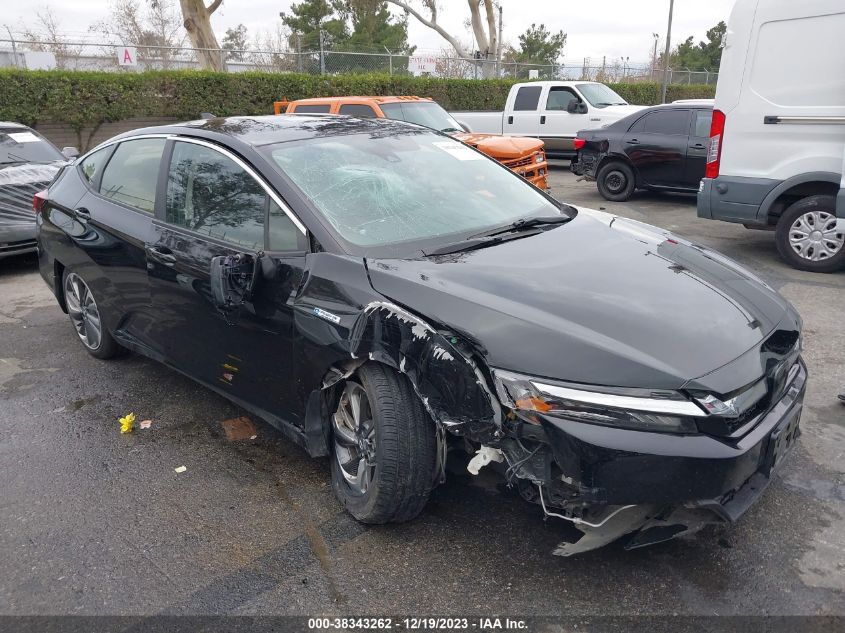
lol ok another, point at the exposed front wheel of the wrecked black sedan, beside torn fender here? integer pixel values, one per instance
(384, 447)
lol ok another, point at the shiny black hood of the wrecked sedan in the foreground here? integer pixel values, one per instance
(600, 300)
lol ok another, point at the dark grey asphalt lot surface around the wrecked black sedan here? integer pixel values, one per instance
(95, 522)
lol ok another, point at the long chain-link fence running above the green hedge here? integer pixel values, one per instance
(117, 57)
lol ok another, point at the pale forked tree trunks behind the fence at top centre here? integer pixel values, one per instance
(484, 27)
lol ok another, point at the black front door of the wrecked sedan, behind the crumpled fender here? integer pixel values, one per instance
(215, 205)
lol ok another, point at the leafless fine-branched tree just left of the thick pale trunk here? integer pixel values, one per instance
(154, 26)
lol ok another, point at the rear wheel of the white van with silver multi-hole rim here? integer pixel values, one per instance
(807, 237)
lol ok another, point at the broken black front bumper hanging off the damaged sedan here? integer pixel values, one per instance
(673, 484)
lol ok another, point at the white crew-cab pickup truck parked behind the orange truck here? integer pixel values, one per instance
(552, 111)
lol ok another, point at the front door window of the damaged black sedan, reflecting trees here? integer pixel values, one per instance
(209, 193)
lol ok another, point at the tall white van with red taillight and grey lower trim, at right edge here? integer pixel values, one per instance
(776, 155)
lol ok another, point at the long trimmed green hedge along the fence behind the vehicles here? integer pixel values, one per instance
(83, 99)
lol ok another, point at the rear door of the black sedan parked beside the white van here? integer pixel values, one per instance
(656, 145)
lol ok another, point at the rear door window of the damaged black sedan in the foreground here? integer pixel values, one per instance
(130, 177)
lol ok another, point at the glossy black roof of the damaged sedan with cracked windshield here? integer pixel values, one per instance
(274, 128)
